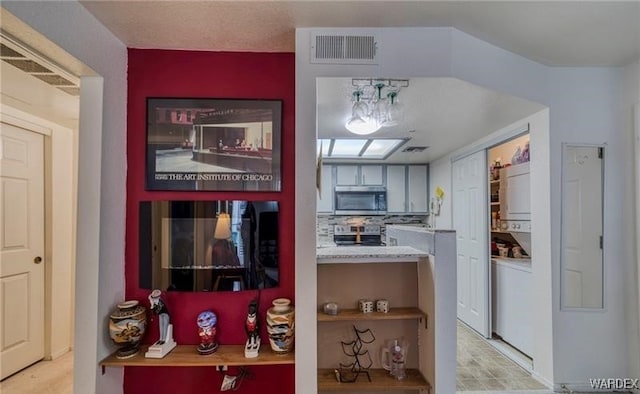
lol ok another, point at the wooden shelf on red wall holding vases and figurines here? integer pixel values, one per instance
(187, 356)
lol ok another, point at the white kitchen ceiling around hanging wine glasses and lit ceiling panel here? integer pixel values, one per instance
(441, 113)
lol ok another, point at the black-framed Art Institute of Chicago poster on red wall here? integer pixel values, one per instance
(213, 144)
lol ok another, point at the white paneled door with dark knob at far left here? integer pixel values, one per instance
(21, 248)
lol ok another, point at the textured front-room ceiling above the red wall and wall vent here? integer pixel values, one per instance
(557, 33)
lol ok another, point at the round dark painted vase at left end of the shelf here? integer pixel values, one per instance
(127, 325)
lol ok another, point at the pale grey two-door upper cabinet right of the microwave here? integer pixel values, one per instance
(407, 189)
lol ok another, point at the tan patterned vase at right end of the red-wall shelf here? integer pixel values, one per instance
(281, 325)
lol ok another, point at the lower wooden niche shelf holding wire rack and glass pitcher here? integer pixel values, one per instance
(380, 381)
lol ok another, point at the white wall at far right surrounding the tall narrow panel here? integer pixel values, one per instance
(585, 104)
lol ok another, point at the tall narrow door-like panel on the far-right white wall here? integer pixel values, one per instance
(582, 228)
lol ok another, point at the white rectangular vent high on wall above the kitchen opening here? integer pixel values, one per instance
(343, 49)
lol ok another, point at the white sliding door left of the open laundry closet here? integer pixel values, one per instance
(470, 203)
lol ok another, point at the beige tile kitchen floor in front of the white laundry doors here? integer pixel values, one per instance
(481, 368)
